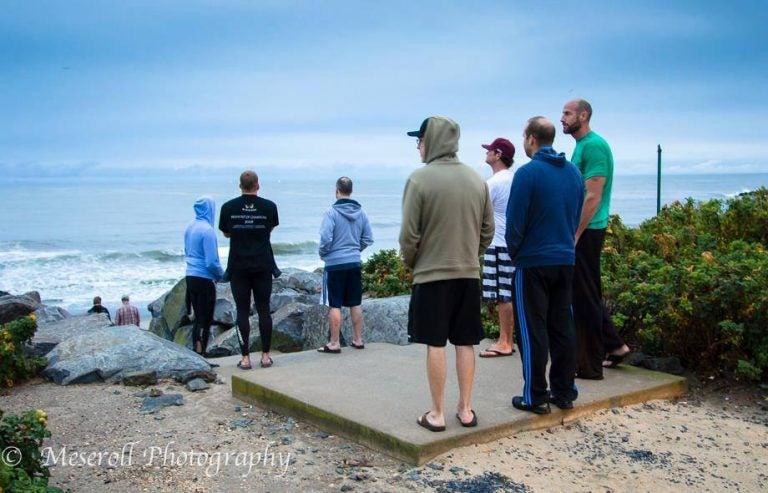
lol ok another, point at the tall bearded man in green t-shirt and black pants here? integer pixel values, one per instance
(598, 342)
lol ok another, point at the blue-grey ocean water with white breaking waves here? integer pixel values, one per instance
(73, 239)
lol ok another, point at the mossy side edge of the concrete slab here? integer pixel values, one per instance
(669, 387)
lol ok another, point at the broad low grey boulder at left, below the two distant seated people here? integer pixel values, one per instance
(107, 354)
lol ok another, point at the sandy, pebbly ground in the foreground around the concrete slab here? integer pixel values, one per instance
(714, 439)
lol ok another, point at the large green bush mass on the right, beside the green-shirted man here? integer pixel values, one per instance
(692, 282)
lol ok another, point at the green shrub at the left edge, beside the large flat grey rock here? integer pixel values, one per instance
(15, 366)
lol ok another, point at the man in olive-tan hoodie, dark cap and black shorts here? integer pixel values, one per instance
(447, 224)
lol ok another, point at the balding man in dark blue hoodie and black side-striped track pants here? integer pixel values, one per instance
(543, 214)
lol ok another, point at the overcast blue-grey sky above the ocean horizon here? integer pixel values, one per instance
(173, 84)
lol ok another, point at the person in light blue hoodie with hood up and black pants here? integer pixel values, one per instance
(201, 253)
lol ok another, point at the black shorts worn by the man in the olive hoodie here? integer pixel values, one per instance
(446, 310)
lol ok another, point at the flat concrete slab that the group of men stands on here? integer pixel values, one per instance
(373, 396)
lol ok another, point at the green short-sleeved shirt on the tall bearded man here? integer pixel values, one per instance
(593, 157)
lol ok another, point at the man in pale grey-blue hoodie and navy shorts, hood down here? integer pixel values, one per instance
(344, 233)
